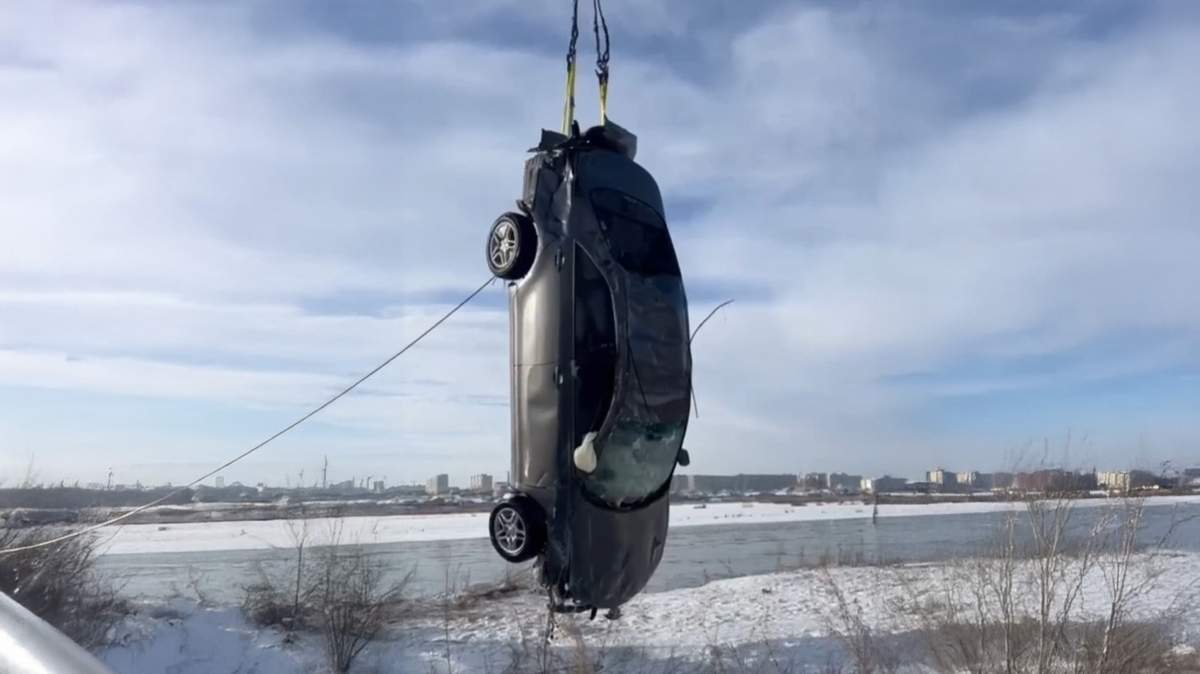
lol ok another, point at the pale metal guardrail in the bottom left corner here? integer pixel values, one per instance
(31, 646)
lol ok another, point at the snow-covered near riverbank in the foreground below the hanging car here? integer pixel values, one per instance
(785, 619)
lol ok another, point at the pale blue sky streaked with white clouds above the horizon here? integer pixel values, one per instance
(957, 234)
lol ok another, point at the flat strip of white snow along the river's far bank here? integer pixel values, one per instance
(407, 528)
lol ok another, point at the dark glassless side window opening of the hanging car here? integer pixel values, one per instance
(596, 346)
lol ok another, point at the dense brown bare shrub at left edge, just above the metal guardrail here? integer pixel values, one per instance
(61, 585)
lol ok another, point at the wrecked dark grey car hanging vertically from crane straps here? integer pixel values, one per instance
(601, 369)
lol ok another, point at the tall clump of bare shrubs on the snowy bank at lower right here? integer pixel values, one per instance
(1021, 609)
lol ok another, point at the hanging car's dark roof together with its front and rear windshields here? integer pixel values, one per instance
(638, 456)
